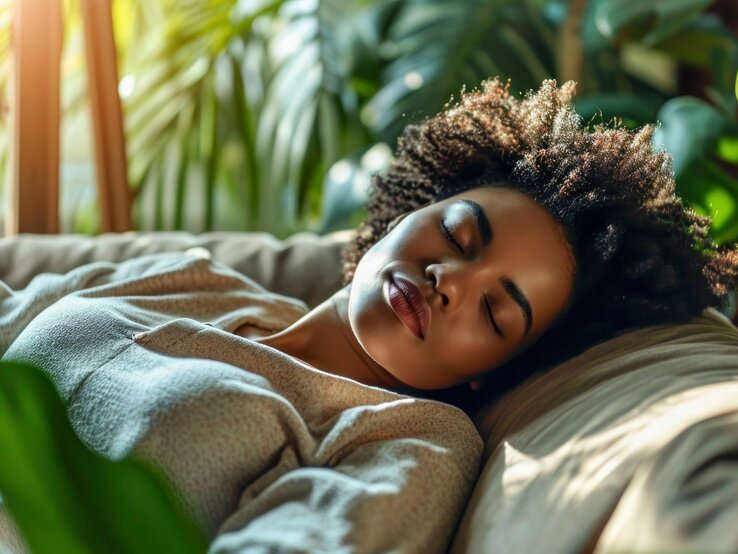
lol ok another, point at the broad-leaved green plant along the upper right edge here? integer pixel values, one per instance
(701, 136)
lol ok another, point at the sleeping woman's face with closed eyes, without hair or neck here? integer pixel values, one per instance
(460, 286)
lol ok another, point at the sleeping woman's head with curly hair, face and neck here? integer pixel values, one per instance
(502, 224)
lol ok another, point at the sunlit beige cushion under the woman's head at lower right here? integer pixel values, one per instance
(630, 447)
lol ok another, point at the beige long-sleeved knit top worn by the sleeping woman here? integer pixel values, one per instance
(269, 453)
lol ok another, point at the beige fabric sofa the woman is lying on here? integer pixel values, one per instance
(631, 446)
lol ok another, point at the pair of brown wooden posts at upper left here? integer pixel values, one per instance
(34, 191)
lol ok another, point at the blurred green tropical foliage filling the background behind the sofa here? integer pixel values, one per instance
(271, 114)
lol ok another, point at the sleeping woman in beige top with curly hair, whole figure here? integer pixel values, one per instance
(502, 239)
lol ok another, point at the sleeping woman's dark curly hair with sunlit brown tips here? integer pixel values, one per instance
(642, 256)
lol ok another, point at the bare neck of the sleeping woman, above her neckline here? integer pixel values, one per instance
(323, 338)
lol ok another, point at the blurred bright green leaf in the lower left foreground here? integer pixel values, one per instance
(65, 498)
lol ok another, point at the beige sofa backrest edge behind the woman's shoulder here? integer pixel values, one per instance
(305, 265)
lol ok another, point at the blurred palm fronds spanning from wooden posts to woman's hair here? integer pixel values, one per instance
(246, 123)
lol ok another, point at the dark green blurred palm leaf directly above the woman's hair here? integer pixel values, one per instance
(435, 47)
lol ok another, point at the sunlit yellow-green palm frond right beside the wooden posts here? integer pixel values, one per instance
(190, 103)
